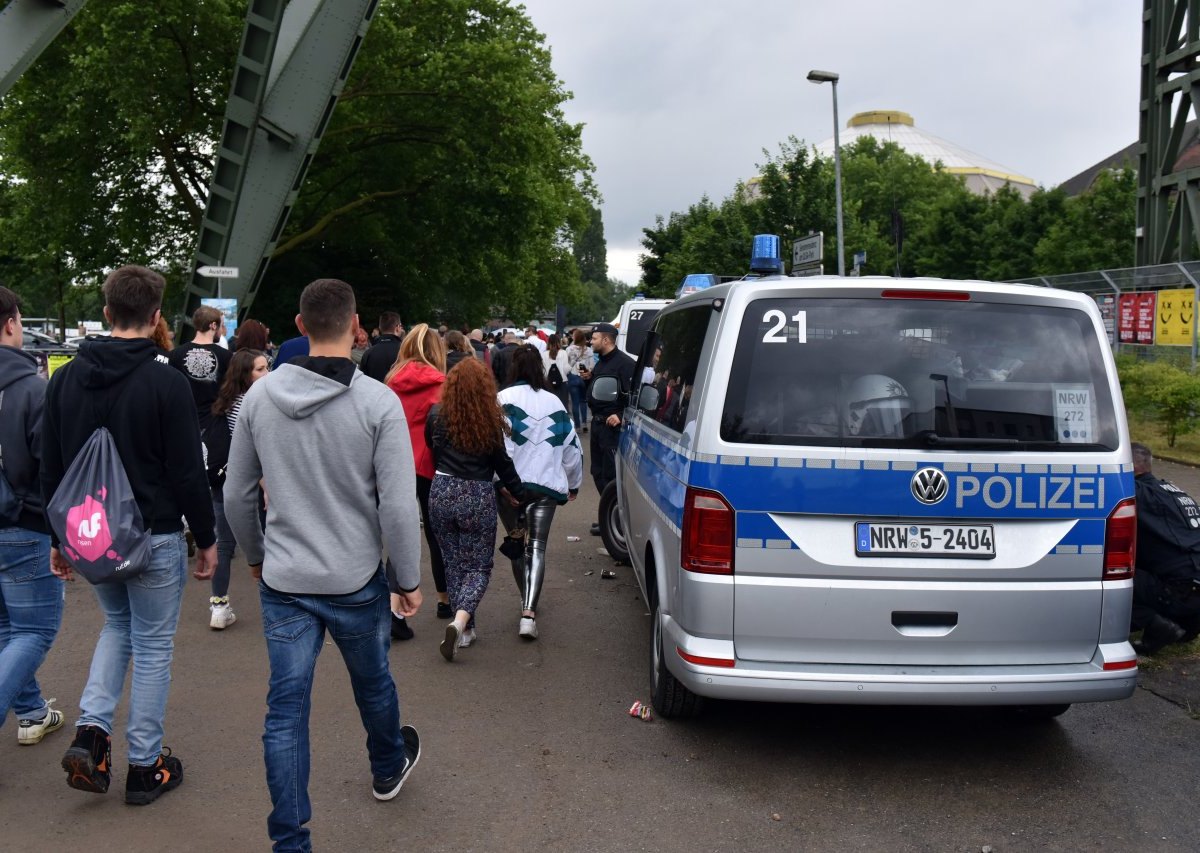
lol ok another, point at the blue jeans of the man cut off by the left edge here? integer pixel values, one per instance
(31, 614)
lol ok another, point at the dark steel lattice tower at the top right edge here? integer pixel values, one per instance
(1168, 190)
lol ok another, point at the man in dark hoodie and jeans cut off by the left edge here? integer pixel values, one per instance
(31, 597)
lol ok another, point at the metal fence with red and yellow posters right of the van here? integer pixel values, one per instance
(1150, 311)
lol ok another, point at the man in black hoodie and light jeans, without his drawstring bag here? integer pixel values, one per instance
(122, 383)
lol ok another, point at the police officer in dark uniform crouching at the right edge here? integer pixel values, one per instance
(1167, 581)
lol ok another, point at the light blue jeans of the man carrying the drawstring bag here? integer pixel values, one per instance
(141, 616)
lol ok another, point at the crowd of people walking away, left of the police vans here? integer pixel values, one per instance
(208, 435)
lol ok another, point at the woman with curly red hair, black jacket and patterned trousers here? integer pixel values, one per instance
(466, 436)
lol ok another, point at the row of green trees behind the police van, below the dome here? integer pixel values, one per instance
(909, 218)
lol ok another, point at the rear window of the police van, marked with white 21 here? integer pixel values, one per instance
(919, 374)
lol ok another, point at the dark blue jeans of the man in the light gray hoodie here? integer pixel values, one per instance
(296, 628)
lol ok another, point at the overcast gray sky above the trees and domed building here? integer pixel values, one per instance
(680, 98)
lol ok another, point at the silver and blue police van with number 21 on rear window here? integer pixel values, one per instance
(881, 491)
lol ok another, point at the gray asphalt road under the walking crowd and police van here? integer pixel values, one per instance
(530, 747)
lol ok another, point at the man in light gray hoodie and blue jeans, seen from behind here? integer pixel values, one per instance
(333, 450)
